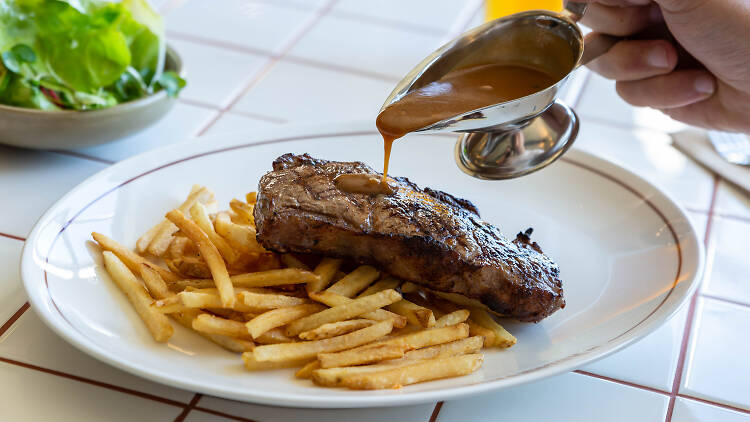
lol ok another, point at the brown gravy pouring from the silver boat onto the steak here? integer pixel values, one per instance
(455, 93)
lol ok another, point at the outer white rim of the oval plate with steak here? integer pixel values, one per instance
(207, 145)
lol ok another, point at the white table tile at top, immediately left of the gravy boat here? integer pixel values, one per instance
(365, 46)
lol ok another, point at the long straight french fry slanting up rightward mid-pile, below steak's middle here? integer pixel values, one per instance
(346, 311)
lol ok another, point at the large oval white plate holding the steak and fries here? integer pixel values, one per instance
(628, 255)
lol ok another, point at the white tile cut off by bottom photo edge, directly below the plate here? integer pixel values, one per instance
(282, 414)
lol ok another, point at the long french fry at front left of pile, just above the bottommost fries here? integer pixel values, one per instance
(310, 349)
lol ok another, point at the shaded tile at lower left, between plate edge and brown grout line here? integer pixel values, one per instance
(30, 341)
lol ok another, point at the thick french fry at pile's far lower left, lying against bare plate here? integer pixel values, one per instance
(157, 323)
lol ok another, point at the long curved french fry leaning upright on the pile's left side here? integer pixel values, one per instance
(209, 253)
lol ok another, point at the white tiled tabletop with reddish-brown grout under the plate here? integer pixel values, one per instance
(340, 59)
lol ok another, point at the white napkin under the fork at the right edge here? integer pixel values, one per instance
(695, 144)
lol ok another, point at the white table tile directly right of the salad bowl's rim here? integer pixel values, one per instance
(215, 75)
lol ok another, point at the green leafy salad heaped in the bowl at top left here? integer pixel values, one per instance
(81, 54)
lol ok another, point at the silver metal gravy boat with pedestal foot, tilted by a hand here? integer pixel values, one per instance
(514, 138)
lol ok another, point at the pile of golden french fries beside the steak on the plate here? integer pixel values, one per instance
(342, 325)
